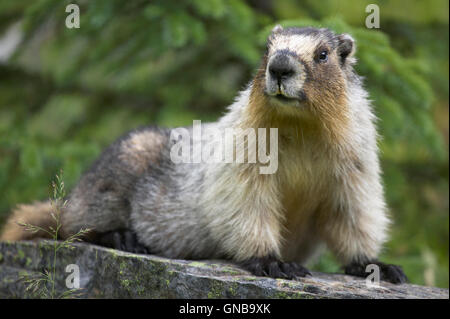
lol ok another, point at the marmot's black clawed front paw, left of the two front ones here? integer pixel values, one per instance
(272, 267)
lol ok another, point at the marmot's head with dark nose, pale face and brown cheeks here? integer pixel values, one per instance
(306, 68)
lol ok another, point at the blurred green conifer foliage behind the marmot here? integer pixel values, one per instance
(66, 93)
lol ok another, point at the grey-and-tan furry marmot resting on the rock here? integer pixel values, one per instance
(326, 190)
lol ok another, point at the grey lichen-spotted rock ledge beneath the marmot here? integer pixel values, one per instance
(108, 273)
